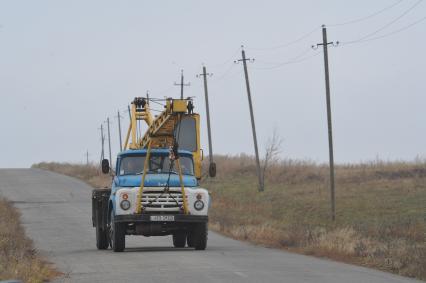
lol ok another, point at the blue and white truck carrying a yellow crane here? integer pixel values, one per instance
(155, 182)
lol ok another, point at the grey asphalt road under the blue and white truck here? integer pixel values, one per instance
(56, 213)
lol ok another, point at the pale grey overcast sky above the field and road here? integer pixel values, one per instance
(67, 65)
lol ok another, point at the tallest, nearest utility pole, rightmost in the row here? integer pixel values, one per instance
(325, 44)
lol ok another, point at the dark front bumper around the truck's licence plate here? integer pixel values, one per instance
(146, 218)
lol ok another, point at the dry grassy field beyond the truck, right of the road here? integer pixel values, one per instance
(380, 220)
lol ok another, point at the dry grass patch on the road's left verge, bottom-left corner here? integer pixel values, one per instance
(18, 258)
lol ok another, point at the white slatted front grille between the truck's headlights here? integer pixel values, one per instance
(156, 200)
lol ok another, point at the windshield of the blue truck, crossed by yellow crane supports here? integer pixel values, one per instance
(134, 165)
